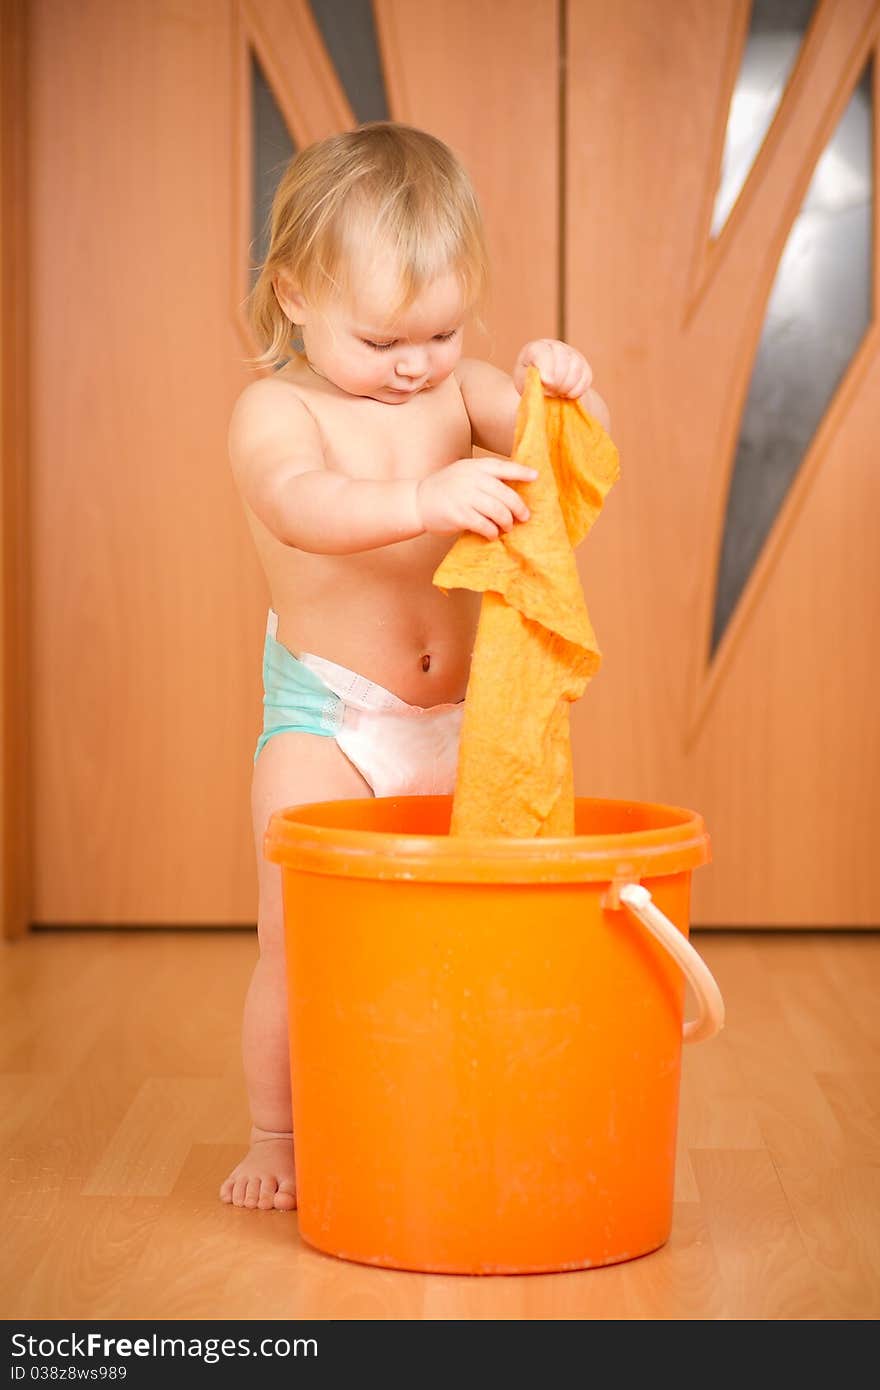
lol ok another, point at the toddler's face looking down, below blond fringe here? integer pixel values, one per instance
(352, 343)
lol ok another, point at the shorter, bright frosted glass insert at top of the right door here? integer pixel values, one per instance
(776, 33)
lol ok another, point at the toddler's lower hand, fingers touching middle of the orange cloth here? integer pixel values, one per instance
(469, 496)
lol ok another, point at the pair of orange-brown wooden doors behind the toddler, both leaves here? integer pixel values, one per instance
(594, 137)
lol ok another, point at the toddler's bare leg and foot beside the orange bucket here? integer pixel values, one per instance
(291, 769)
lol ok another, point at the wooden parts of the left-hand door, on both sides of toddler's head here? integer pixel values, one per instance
(148, 608)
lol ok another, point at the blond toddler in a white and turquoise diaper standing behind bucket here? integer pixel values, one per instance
(357, 472)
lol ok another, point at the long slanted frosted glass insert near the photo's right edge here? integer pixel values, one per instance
(820, 311)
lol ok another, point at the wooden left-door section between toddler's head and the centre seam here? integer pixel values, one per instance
(484, 79)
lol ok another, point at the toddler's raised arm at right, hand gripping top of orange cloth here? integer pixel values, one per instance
(493, 398)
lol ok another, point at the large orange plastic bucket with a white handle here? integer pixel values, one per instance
(486, 1035)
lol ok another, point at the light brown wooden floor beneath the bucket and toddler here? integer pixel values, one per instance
(124, 1109)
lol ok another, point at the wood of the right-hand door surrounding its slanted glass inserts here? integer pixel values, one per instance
(776, 739)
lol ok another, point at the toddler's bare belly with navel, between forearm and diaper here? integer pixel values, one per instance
(401, 633)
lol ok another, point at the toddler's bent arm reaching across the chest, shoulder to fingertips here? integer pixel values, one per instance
(279, 464)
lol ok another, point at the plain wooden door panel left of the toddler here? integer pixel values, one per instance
(147, 597)
